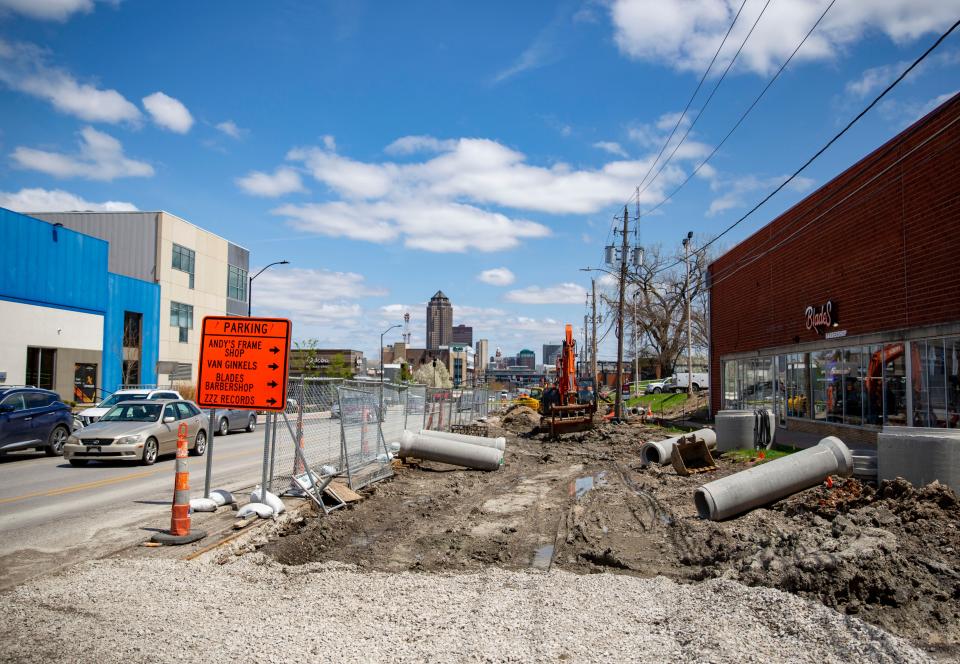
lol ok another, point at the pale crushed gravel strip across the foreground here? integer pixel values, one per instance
(254, 609)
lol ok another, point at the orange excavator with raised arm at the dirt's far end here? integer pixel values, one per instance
(561, 408)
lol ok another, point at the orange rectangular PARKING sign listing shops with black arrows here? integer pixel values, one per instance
(243, 363)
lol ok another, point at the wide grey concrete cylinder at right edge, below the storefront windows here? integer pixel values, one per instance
(919, 455)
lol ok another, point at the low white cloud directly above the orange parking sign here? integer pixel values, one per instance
(312, 297)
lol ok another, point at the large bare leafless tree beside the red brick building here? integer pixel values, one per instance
(657, 289)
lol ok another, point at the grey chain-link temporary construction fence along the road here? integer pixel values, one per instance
(345, 428)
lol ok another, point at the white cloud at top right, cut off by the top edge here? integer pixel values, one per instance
(684, 34)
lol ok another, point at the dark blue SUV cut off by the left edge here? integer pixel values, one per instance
(31, 417)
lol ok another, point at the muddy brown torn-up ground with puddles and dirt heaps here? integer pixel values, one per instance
(583, 503)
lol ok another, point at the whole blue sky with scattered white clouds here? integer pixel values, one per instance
(388, 150)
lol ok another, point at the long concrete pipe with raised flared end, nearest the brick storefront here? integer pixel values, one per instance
(773, 480)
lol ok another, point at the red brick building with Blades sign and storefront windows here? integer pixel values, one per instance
(843, 313)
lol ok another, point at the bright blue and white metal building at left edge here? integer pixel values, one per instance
(70, 324)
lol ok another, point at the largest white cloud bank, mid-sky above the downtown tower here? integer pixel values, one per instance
(440, 202)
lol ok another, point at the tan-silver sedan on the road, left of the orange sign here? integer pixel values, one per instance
(138, 430)
